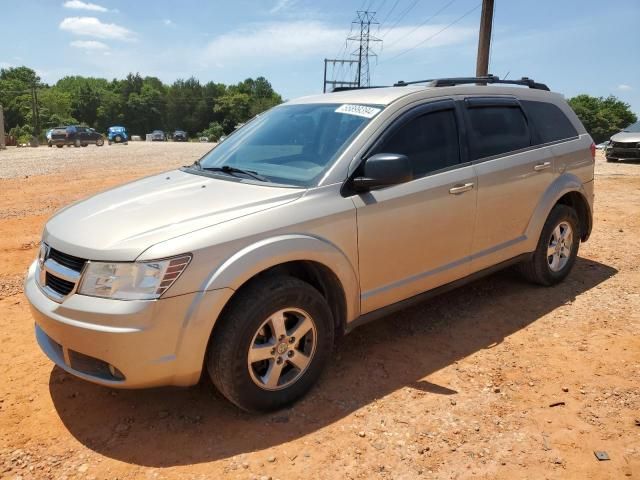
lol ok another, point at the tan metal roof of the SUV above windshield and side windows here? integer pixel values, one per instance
(387, 95)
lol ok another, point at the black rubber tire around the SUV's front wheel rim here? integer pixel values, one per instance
(227, 359)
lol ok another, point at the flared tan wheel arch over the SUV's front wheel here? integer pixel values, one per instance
(260, 256)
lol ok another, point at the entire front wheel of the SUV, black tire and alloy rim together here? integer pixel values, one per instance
(273, 342)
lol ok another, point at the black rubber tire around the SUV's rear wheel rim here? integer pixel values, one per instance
(537, 269)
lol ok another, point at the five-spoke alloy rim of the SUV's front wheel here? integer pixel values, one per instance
(282, 349)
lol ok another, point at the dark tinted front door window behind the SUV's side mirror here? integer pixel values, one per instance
(430, 141)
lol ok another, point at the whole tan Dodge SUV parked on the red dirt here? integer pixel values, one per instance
(315, 217)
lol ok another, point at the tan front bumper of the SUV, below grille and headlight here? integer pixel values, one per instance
(127, 344)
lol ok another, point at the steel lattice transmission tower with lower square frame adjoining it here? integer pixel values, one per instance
(363, 51)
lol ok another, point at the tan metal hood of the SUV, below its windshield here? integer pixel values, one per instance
(121, 223)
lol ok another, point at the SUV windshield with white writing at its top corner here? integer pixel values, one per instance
(291, 144)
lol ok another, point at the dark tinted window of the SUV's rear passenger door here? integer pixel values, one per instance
(494, 130)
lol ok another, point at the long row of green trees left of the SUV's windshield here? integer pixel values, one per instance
(141, 104)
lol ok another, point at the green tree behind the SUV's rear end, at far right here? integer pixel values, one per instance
(602, 117)
